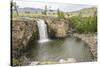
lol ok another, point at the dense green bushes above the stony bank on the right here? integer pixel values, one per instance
(84, 24)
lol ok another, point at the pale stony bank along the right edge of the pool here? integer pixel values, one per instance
(91, 40)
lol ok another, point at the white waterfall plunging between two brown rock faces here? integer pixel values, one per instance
(42, 27)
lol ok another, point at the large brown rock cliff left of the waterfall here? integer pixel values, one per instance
(22, 31)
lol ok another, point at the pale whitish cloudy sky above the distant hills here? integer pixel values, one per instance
(51, 5)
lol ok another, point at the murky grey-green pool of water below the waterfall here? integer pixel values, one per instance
(54, 50)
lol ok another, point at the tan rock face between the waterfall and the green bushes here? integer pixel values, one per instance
(57, 28)
